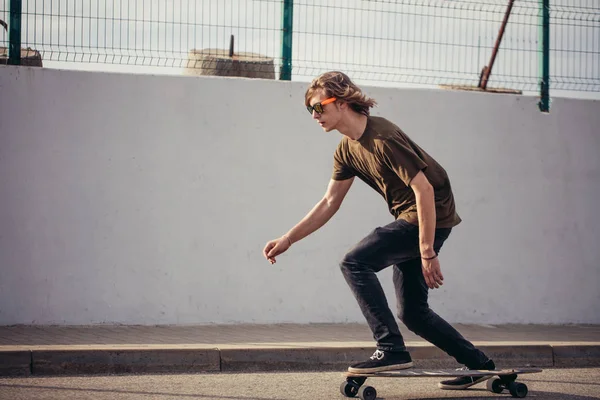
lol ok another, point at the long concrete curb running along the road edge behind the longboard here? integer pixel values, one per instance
(80, 361)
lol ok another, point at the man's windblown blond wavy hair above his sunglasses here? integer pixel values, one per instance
(339, 85)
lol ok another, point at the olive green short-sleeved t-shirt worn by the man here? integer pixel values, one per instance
(386, 159)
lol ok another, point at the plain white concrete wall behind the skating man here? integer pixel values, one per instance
(148, 200)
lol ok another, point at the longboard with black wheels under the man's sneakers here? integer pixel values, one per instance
(506, 379)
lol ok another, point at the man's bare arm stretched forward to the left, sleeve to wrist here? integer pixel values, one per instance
(322, 211)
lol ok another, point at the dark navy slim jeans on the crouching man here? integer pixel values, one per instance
(397, 245)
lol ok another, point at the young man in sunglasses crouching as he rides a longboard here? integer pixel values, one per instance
(418, 194)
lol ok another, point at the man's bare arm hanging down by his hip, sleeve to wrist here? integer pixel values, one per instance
(426, 213)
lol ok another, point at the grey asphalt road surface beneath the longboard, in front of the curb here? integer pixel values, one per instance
(551, 384)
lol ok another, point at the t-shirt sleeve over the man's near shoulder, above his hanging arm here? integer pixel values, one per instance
(402, 159)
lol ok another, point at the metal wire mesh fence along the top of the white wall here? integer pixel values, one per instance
(414, 42)
